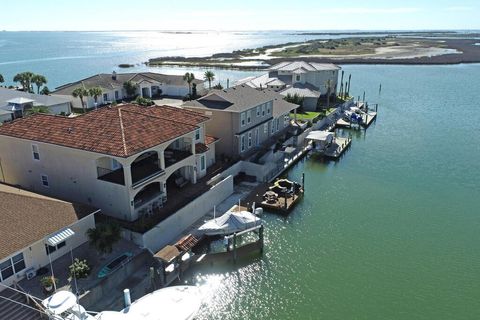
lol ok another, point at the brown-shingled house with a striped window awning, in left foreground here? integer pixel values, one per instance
(36, 229)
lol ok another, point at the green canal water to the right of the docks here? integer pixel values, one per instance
(392, 230)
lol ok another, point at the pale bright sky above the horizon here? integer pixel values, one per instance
(86, 15)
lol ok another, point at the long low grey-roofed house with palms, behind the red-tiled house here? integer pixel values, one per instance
(148, 85)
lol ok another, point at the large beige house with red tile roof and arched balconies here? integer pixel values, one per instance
(121, 159)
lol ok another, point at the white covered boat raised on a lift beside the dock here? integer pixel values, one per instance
(230, 222)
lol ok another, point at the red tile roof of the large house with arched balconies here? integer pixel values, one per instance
(122, 131)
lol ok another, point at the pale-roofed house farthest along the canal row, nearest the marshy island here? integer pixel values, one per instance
(306, 79)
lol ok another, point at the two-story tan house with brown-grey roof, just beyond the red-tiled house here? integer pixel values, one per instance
(244, 118)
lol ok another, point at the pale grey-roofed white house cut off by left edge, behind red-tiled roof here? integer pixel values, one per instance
(14, 103)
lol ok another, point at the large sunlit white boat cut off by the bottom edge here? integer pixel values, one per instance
(173, 303)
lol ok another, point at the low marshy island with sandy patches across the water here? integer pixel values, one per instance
(433, 49)
